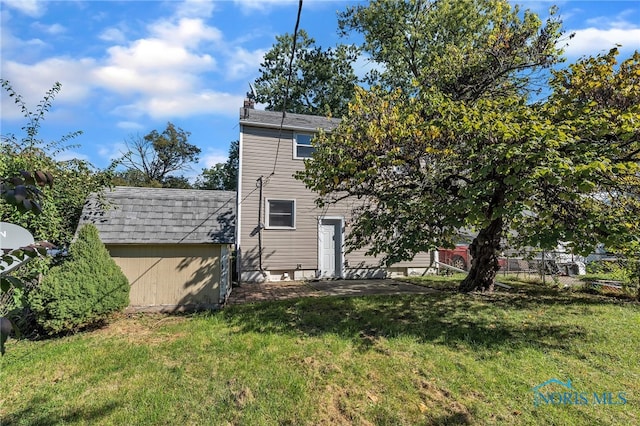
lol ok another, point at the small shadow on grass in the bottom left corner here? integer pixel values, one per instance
(36, 414)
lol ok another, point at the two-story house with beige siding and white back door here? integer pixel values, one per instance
(281, 234)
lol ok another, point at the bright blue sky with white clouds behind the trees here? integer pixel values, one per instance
(128, 67)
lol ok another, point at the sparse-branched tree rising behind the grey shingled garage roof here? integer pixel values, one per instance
(151, 160)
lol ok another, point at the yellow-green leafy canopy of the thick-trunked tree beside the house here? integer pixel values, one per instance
(419, 169)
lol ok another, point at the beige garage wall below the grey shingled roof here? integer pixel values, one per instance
(170, 274)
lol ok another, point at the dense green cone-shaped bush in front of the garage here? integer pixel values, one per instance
(81, 291)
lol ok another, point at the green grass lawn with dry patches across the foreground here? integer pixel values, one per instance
(441, 358)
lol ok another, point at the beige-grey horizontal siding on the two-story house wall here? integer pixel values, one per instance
(284, 249)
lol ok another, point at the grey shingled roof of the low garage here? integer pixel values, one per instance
(127, 215)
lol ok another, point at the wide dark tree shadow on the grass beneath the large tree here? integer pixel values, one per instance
(497, 320)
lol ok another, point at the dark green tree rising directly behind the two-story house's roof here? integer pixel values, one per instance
(322, 81)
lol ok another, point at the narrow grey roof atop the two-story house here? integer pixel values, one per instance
(273, 119)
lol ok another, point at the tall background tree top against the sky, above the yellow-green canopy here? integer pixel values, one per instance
(465, 48)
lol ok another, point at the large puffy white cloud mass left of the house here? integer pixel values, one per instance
(159, 74)
